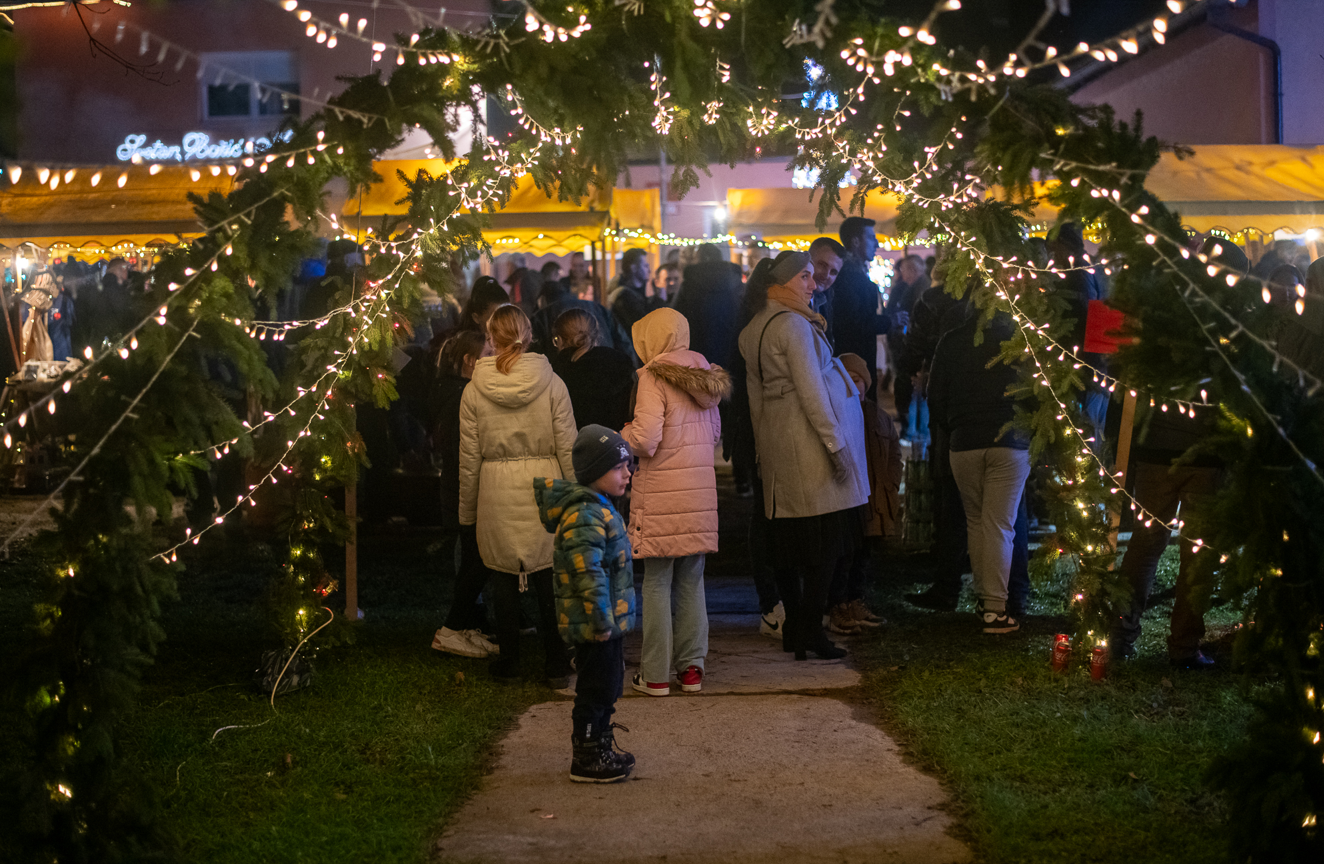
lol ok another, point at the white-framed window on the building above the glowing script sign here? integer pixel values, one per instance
(250, 84)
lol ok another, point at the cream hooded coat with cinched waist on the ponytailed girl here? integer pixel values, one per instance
(513, 428)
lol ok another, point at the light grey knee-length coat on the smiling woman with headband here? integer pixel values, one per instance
(804, 407)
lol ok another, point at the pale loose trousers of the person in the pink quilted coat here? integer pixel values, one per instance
(673, 641)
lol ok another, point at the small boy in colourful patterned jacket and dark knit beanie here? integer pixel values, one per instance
(595, 593)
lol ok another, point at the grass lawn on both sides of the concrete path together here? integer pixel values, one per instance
(369, 764)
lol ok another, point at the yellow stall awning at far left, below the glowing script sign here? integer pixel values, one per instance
(148, 211)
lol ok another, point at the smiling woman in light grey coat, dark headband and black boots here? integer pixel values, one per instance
(810, 432)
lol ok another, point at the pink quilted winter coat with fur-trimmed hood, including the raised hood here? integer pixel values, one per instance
(675, 432)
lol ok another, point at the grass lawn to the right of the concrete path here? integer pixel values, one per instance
(1059, 768)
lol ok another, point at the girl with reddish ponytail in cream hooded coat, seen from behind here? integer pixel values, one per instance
(516, 424)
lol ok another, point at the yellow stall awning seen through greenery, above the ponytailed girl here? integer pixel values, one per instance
(532, 219)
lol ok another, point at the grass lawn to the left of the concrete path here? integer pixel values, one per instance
(363, 767)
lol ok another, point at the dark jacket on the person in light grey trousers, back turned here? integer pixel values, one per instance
(967, 395)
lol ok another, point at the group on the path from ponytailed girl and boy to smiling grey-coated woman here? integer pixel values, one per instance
(546, 407)
